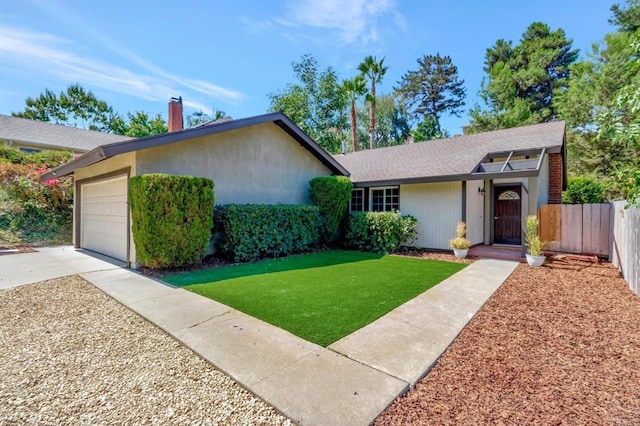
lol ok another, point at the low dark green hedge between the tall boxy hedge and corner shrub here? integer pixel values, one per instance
(252, 231)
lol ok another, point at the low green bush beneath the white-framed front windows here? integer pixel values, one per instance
(380, 232)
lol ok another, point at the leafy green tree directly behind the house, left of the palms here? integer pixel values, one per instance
(316, 103)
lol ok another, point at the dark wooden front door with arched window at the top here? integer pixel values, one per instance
(507, 215)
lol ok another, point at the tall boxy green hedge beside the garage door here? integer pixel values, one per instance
(172, 219)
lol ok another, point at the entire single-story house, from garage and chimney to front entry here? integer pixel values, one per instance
(491, 180)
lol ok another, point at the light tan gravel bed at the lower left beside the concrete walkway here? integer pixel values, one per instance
(72, 355)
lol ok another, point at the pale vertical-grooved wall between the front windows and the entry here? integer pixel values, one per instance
(438, 208)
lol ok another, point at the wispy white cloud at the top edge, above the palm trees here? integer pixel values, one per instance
(354, 21)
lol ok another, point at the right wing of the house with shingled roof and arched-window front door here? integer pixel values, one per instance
(491, 180)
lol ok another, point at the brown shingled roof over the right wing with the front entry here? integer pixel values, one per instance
(449, 159)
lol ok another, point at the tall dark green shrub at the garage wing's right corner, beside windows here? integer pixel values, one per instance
(331, 194)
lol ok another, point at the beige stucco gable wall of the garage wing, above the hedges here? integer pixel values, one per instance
(259, 164)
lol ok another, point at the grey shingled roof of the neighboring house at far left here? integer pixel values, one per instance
(53, 136)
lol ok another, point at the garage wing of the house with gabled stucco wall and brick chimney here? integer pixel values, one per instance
(265, 159)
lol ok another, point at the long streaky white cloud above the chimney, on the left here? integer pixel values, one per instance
(46, 53)
